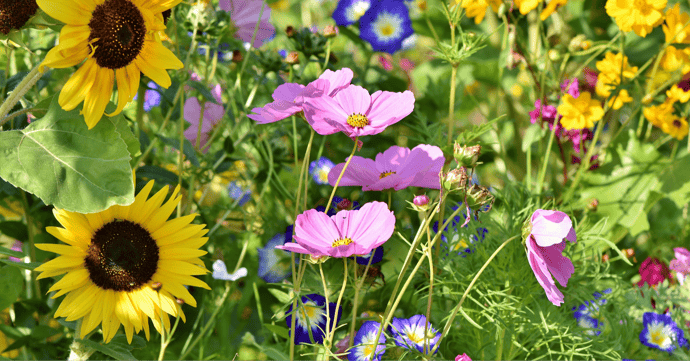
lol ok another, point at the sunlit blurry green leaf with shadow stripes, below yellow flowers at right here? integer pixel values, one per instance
(623, 185)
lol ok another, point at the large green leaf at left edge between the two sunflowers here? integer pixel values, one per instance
(67, 165)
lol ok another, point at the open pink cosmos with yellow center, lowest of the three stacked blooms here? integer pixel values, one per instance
(345, 234)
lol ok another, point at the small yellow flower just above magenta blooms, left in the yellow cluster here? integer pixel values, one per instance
(579, 113)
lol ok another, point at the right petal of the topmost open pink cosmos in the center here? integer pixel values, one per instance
(389, 108)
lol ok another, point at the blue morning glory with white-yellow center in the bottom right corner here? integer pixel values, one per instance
(661, 332)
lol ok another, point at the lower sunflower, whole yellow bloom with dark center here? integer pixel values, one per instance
(126, 264)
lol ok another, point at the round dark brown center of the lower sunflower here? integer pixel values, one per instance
(122, 256)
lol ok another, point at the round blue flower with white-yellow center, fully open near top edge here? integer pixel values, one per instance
(385, 25)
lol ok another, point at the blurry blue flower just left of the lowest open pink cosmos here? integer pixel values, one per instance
(274, 264)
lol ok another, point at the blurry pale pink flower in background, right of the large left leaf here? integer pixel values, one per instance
(213, 113)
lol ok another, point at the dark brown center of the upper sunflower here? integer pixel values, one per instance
(119, 27)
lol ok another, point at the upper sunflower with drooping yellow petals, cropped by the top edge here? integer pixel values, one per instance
(118, 39)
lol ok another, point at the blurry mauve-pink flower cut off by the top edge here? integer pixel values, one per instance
(245, 14)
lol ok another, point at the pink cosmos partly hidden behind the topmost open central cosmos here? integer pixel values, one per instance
(289, 98)
